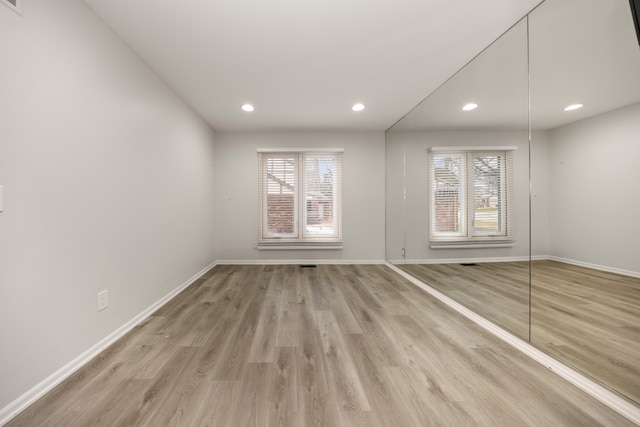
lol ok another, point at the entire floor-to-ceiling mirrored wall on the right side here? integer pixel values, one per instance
(524, 212)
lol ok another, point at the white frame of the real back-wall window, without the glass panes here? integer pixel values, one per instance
(302, 235)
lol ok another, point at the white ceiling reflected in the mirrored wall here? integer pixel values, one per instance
(580, 51)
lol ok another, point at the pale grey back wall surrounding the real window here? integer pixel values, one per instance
(363, 194)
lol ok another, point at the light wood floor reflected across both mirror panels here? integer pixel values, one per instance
(586, 318)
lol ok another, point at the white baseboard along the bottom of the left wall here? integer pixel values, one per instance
(28, 398)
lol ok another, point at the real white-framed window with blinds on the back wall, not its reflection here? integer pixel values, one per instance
(300, 200)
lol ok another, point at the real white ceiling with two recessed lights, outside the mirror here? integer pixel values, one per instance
(304, 63)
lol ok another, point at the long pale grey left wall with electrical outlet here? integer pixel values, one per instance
(108, 183)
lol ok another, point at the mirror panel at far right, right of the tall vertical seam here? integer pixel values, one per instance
(586, 292)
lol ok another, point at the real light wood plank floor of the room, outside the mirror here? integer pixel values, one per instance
(327, 346)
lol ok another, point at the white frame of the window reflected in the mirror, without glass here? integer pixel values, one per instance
(467, 235)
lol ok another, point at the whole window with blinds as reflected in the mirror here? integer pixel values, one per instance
(470, 195)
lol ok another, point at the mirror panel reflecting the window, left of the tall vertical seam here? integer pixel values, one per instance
(497, 80)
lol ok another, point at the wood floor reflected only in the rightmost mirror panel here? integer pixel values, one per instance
(591, 320)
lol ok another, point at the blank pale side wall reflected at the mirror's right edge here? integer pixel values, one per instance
(594, 201)
